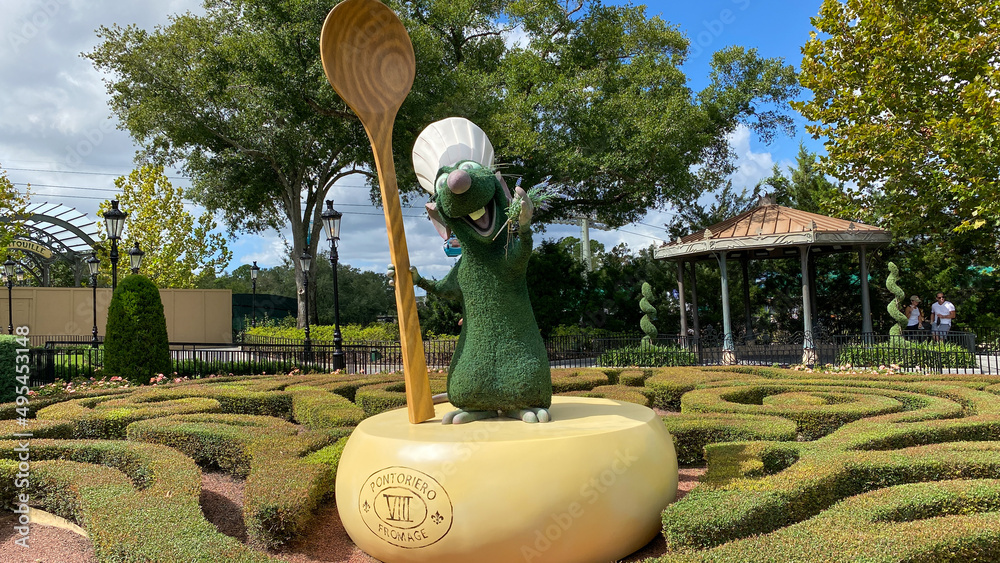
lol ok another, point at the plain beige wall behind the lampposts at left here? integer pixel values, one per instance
(193, 315)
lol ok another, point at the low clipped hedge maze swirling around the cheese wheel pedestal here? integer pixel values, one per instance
(802, 466)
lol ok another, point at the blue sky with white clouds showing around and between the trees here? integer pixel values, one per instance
(55, 131)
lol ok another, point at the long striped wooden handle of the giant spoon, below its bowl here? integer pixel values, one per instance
(419, 403)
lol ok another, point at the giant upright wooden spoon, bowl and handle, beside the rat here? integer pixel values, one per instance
(368, 58)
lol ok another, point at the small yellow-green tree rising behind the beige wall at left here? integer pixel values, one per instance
(180, 249)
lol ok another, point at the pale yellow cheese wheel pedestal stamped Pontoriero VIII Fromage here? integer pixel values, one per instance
(587, 487)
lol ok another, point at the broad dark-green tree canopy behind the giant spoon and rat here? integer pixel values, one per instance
(594, 98)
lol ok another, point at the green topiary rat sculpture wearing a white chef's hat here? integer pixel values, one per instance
(500, 363)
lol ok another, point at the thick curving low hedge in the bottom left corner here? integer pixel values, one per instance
(138, 502)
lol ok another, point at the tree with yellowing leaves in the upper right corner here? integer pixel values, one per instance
(906, 95)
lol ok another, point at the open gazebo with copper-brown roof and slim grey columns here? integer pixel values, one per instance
(768, 232)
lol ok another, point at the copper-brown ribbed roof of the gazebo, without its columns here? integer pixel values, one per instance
(774, 231)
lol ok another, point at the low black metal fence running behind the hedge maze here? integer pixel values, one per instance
(975, 350)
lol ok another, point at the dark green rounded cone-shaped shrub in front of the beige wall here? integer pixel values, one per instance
(136, 346)
